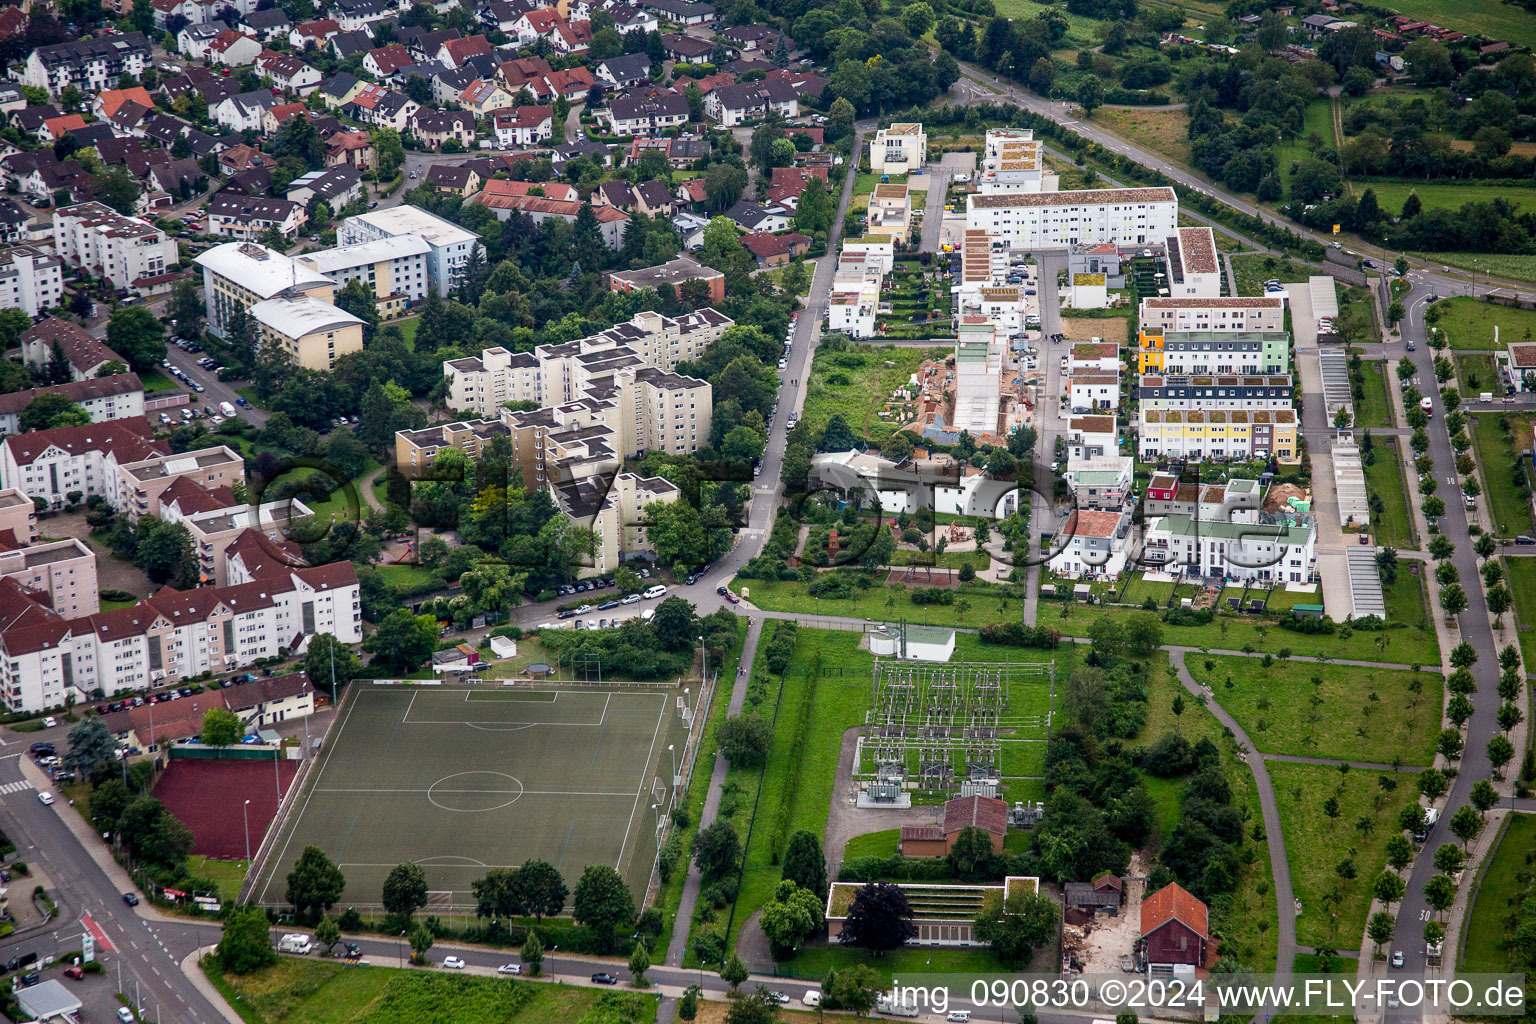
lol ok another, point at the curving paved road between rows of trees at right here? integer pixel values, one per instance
(1414, 911)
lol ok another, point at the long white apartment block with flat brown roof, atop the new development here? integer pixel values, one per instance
(1058, 220)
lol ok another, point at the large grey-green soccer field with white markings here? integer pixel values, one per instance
(465, 779)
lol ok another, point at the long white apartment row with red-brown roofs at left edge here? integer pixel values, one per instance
(170, 636)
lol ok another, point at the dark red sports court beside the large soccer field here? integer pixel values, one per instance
(210, 798)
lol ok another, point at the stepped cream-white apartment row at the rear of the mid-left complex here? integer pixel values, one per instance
(483, 385)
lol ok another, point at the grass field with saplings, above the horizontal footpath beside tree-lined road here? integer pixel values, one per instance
(1328, 710)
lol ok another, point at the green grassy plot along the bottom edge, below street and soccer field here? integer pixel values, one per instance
(319, 993)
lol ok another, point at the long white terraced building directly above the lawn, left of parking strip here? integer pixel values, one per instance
(1233, 550)
